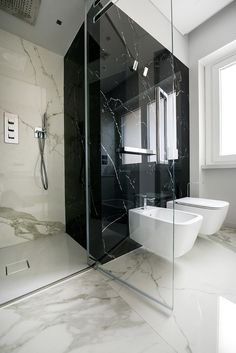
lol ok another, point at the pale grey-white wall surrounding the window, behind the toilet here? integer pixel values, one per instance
(207, 38)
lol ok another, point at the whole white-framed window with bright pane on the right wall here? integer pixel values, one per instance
(220, 103)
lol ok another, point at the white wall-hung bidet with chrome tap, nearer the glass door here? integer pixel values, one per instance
(152, 227)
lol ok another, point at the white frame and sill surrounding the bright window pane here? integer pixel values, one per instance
(213, 109)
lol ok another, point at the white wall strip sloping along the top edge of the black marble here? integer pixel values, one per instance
(154, 22)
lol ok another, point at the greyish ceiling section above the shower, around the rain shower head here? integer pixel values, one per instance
(46, 32)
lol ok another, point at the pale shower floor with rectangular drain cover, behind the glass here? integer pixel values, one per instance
(34, 264)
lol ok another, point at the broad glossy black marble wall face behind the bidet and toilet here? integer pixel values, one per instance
(118, 94)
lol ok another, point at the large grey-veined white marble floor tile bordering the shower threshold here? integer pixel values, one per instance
(82, 315)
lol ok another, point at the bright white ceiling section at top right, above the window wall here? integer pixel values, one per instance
(189, 14)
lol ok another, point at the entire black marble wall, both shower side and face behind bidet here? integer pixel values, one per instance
(114, 90)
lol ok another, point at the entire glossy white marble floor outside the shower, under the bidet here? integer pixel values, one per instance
(94, 313)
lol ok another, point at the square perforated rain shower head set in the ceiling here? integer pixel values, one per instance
(26, 10)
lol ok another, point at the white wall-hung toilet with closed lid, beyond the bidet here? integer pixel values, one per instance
(212, 211)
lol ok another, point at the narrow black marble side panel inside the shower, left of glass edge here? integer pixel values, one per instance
(74, 127)
